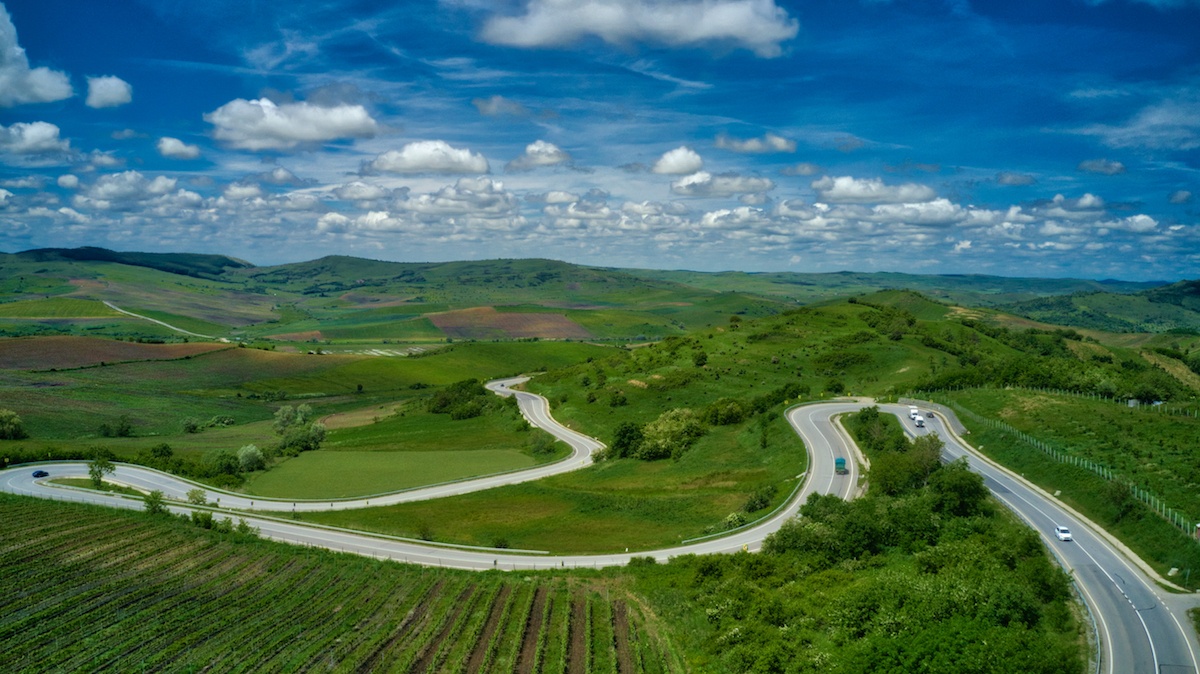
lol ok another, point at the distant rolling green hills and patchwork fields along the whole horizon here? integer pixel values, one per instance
(345, 300)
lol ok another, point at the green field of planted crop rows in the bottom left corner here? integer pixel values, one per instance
(97, 591)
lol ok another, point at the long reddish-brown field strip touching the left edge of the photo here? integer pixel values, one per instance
(46, 353)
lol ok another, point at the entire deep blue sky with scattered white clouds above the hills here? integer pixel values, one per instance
(1018, 139)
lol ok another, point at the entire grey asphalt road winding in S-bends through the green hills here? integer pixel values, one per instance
(1141, 628)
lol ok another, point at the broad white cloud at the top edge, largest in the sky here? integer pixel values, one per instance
(758, 26)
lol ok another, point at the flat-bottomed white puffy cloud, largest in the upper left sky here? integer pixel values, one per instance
(265, 125)
